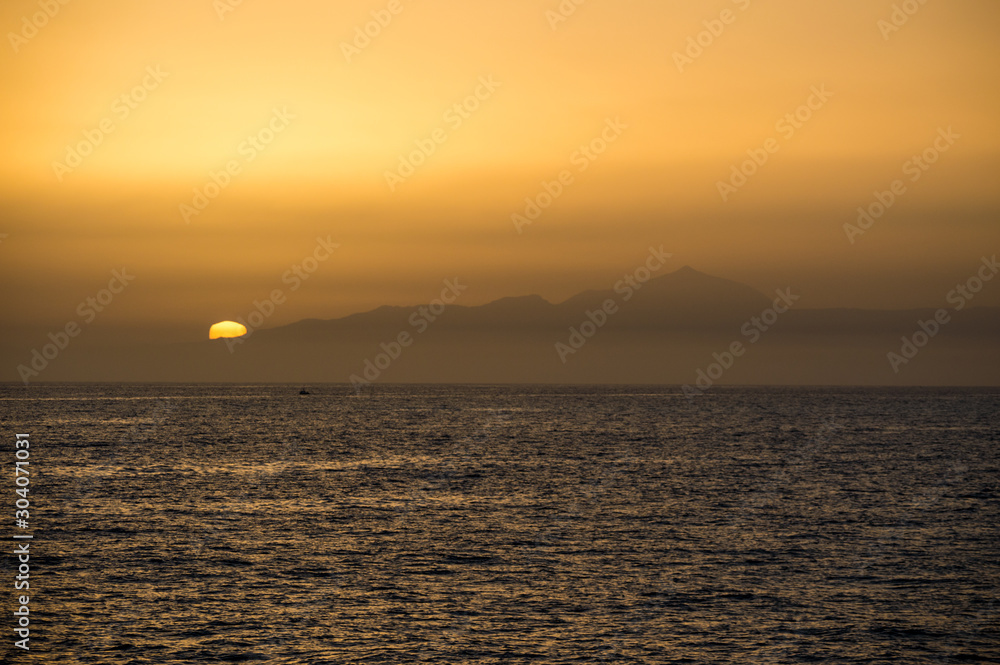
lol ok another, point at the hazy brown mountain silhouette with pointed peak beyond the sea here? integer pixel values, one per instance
(665, 331)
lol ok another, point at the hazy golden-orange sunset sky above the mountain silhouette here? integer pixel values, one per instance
(183, 85)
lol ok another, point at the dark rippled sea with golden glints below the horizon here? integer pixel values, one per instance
(436, 524)
